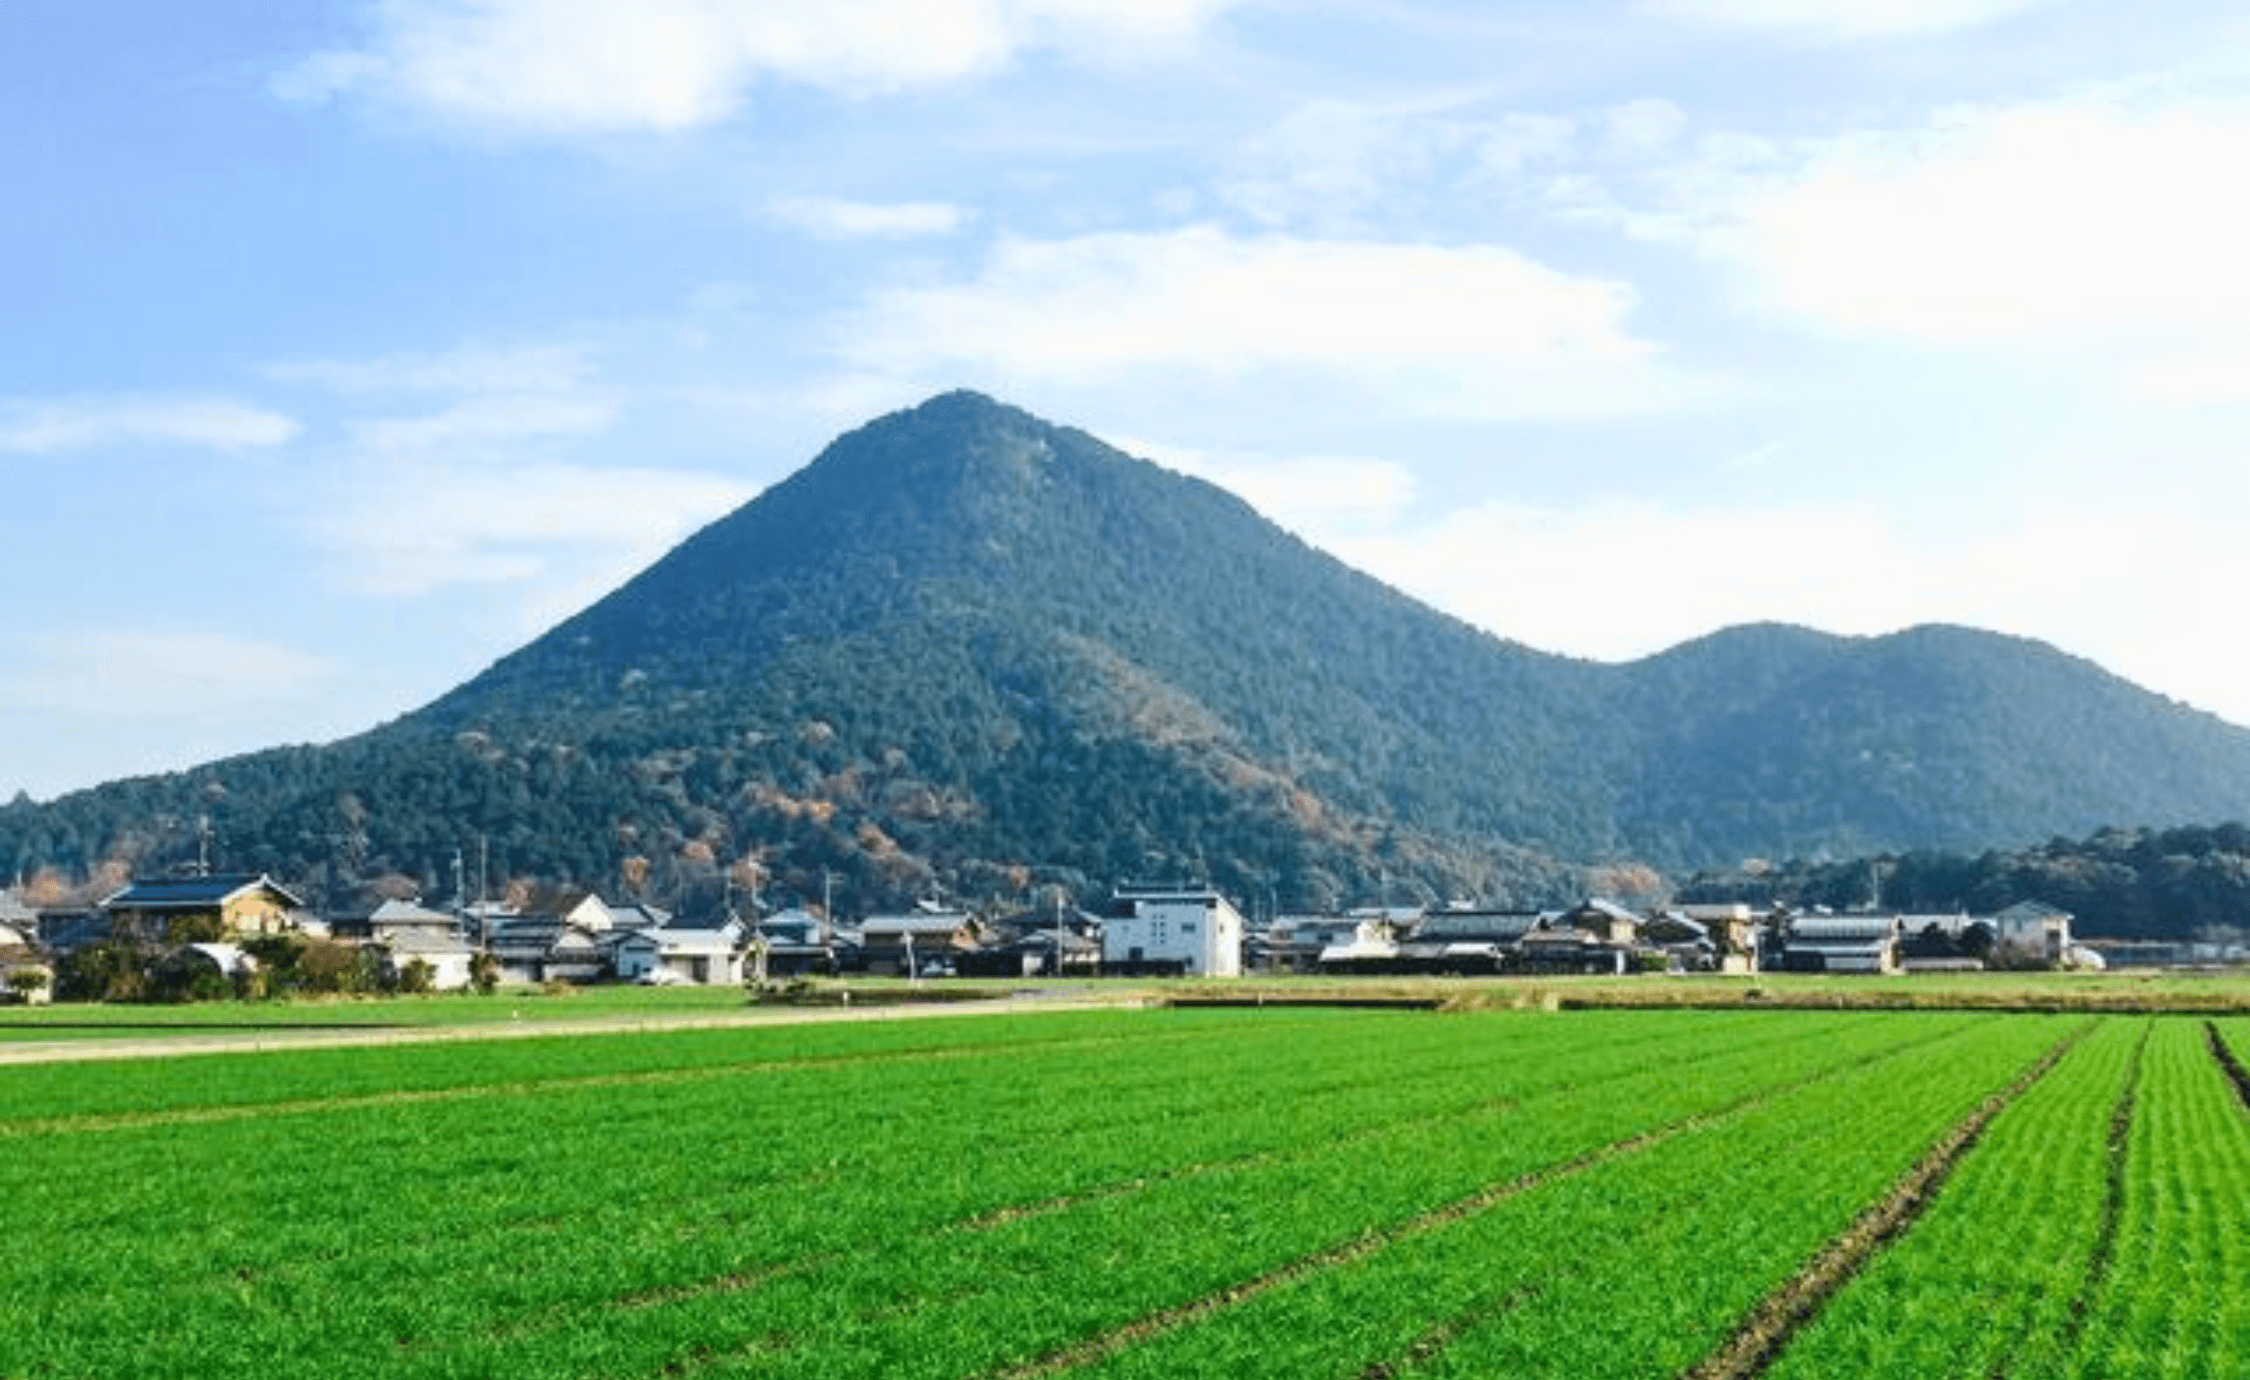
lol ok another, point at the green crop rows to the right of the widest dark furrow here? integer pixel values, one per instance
(2096, 1235)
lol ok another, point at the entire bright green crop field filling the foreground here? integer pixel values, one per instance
(1286, 1192)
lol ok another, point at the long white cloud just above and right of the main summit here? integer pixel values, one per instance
(1464, 330)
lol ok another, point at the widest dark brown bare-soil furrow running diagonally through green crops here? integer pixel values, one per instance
(1770, 1327)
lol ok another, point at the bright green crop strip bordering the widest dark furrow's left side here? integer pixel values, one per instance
(1628, 1266)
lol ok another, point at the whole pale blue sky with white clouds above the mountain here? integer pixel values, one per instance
(352, 343)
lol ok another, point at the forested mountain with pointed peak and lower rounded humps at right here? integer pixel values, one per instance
(975, 649)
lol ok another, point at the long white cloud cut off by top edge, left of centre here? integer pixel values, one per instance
(593, 66)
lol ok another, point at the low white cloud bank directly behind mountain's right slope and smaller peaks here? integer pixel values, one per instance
(1628, 580)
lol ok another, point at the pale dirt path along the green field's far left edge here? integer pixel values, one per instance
(91, 1050)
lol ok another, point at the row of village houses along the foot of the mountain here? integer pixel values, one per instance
(201, 938)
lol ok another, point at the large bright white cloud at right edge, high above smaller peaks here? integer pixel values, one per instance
(2058, 226)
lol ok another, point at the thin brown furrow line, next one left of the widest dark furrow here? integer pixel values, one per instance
(1376, 1239)
